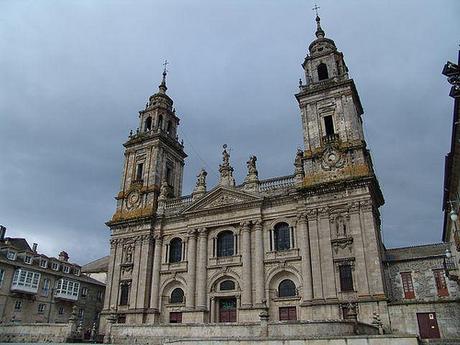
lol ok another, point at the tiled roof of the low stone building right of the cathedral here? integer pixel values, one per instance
(416, 252)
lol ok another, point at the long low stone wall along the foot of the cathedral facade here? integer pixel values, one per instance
(159, 334)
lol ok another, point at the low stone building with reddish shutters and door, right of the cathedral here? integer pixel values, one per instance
(421, 298)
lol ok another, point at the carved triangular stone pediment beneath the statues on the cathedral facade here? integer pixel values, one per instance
(222, 197)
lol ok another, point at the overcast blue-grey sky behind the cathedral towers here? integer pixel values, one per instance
(73, 75)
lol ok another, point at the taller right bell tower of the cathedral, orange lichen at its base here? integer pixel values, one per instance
(331, 111)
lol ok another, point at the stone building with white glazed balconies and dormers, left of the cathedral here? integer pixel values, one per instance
(35, 288)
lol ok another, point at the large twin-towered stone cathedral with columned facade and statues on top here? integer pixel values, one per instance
(299, 249)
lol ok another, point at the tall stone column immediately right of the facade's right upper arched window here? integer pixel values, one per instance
(304, 247)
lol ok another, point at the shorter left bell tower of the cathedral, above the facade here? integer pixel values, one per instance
(153, 157)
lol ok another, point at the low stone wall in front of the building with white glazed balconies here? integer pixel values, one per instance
(43, 333)
